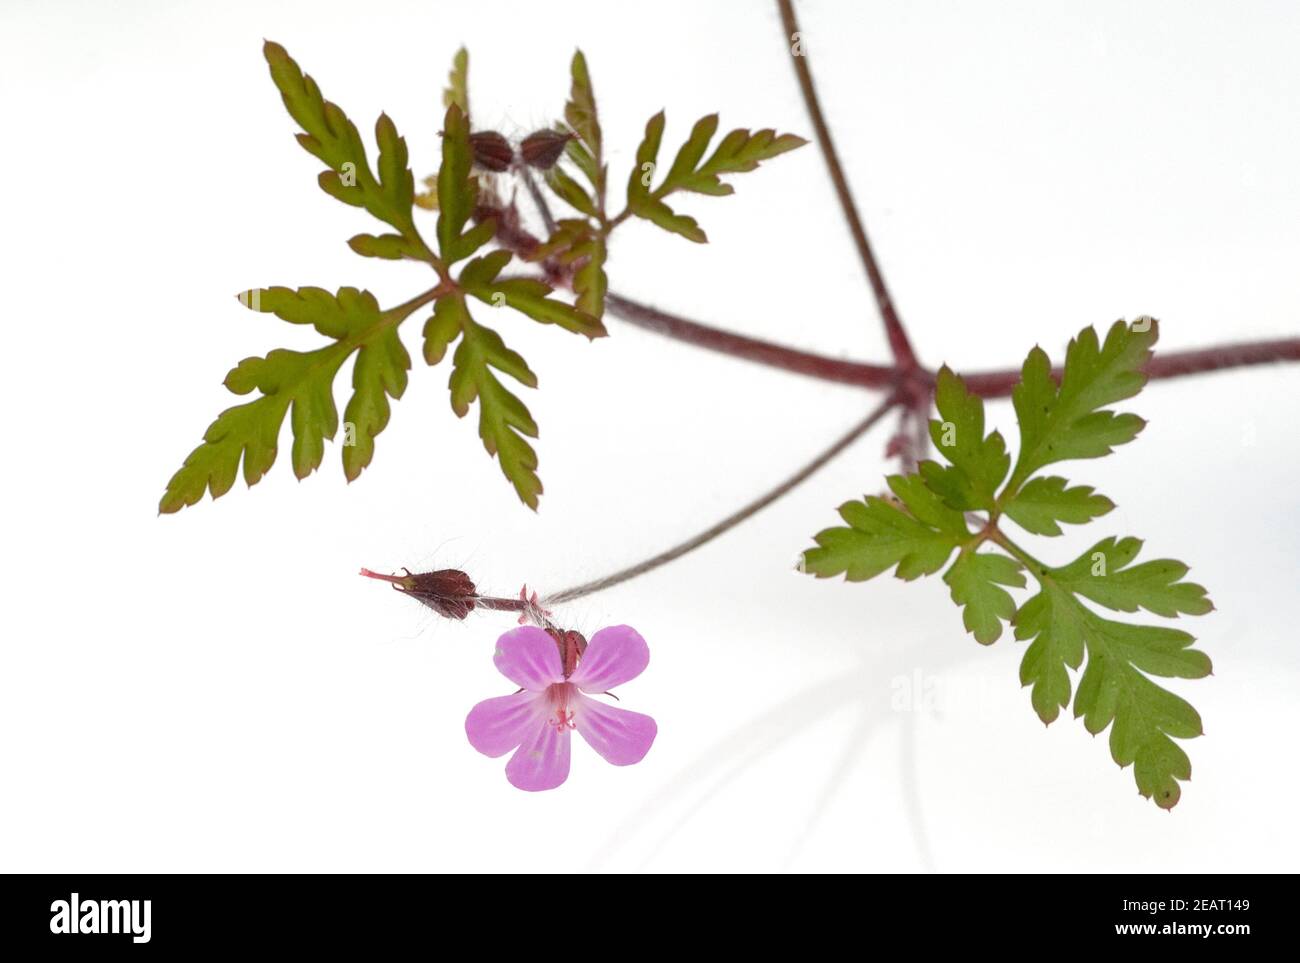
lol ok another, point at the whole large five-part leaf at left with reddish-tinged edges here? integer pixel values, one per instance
(298, 385)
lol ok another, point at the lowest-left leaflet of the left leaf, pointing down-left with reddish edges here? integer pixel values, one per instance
(302, 383)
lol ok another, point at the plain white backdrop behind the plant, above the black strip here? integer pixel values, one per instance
(218, 691)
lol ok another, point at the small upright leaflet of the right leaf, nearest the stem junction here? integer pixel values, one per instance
(980, 463)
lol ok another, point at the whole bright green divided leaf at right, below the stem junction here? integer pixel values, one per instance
(1059, 422)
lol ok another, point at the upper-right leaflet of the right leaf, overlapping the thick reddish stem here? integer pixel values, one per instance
(1059, 424)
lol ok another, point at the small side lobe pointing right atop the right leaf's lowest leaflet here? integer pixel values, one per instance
(1104, 575)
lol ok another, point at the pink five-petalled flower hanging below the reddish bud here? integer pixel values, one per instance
(538, 722)
